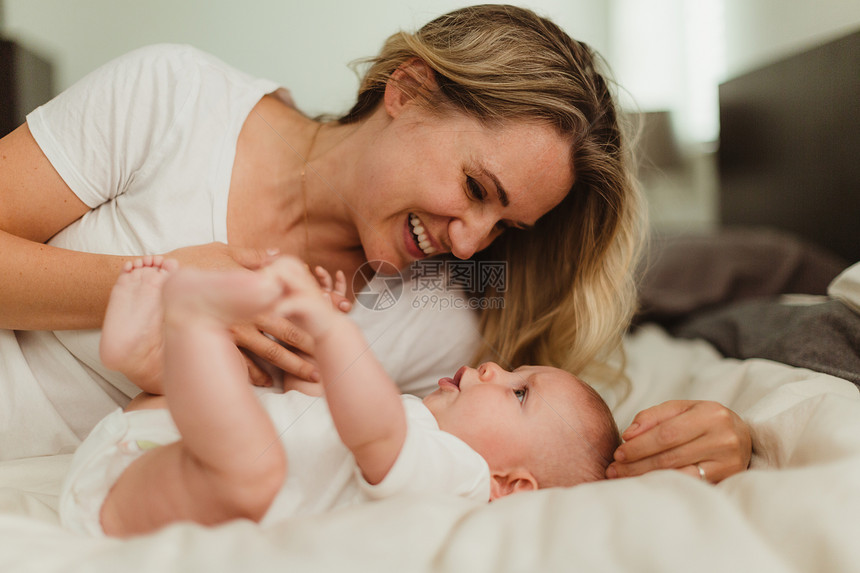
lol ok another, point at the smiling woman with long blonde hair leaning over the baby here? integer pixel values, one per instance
(488, 126)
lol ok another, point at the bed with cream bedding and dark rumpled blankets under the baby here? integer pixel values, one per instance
(708, 303)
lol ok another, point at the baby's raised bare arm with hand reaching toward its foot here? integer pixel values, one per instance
(364, 402)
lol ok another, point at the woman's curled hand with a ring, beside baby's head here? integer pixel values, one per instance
(687, 435)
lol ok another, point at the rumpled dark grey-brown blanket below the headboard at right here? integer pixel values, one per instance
(723, 287)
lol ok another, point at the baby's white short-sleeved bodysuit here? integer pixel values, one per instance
(322, 472)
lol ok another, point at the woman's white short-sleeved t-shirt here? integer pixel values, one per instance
(148, 141)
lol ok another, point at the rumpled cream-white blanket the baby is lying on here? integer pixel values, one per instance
(796, 509)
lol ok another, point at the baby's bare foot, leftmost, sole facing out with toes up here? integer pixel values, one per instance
(132, 341)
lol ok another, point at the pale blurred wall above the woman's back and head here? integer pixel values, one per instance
(305, 46)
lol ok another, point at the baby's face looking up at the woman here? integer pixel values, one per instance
(508, 416)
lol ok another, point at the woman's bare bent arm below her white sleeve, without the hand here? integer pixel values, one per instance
(44, 287)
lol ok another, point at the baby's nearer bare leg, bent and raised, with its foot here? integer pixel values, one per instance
(229, 462)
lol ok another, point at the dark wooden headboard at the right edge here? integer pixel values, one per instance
(789, 152)
